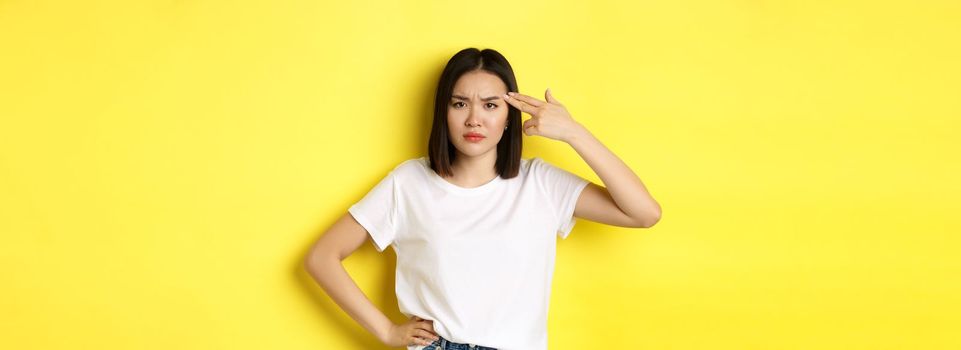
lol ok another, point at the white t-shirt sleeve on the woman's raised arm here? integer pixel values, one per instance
(563, 188)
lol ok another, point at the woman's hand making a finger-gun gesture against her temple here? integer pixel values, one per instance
(548, 118)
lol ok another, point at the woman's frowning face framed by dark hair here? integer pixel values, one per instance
(477, 108)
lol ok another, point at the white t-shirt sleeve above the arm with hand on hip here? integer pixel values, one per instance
(377, 212)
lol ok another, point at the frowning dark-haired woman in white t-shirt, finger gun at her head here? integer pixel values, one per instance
(473, 223)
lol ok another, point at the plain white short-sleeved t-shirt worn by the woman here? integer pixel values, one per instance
(477, 261)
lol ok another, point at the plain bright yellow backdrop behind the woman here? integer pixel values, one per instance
(165, 165)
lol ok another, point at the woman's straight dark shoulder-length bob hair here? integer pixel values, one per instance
(440, 150)
